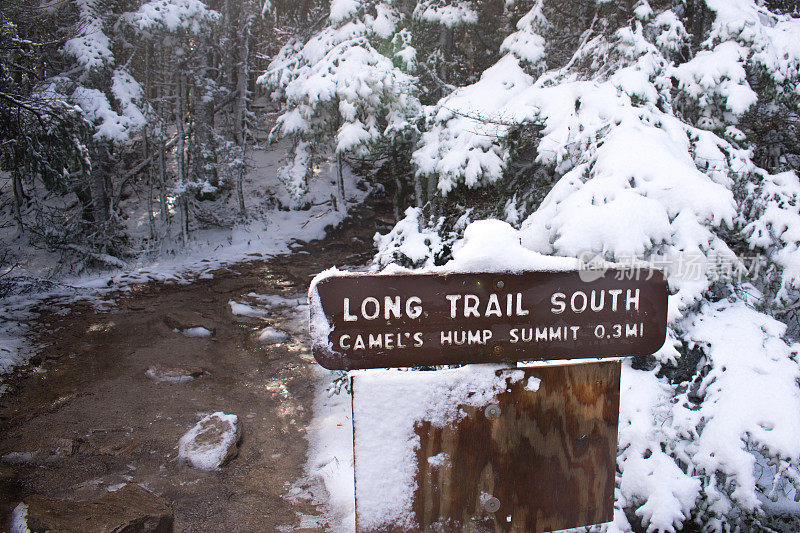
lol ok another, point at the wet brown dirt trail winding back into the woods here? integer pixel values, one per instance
(87, 418)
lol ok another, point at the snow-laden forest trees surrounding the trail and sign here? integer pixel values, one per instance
(662, 131)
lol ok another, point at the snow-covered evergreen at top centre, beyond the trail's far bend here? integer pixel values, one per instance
(341, 92)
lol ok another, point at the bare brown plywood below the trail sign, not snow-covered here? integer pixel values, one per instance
(548, 459)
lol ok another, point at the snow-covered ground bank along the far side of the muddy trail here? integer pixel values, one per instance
(268, 232)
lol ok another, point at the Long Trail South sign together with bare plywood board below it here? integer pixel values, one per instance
(535, 459)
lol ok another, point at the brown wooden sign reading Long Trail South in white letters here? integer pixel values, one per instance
(391, 320)
